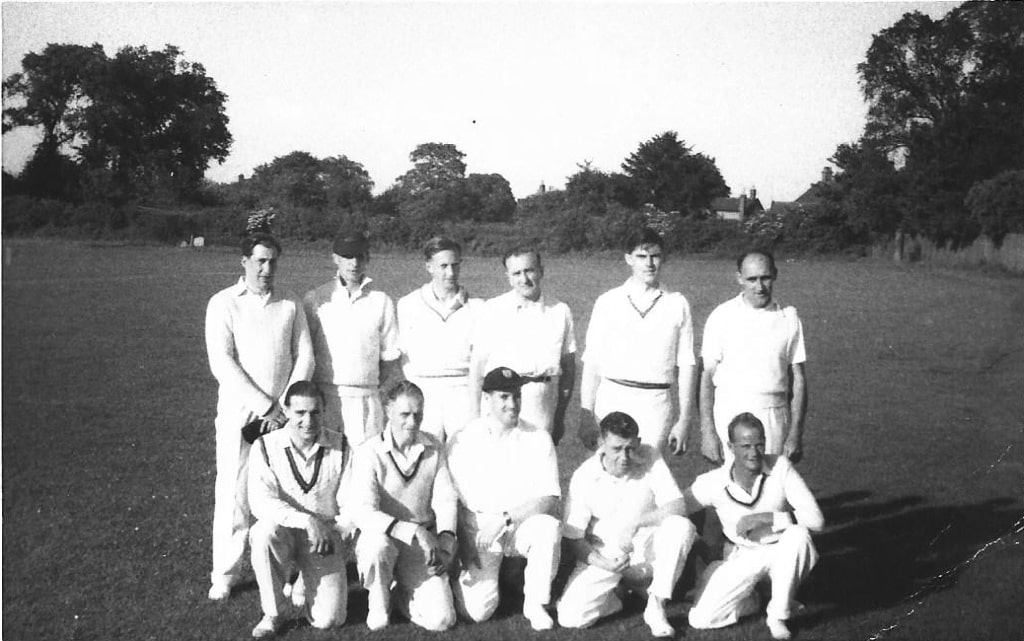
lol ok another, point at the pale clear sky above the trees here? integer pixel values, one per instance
(528, 91)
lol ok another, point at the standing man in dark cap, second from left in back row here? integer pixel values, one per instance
(356, 340)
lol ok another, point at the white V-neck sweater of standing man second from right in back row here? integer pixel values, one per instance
(637, 337)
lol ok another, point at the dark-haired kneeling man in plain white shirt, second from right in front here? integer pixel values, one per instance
(625, 520)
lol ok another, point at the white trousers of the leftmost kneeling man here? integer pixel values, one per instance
(276, 550)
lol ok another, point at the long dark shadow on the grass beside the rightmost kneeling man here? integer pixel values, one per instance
(878, 555)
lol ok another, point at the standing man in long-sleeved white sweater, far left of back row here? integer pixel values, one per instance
(259, 344)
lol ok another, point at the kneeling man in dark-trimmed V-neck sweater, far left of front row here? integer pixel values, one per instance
(298, 487)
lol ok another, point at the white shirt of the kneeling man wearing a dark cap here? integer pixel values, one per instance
(495, 471)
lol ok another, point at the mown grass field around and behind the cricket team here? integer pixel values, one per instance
(915, 444)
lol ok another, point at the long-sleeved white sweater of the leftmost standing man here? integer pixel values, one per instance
(258, 347)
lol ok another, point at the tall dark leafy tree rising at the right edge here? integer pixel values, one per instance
(945, 97)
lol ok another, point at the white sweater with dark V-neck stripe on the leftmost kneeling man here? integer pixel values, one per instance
(285, 487)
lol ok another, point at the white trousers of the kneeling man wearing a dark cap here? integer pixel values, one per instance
(538, 539)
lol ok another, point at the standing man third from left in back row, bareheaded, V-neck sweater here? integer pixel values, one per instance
(437, 326)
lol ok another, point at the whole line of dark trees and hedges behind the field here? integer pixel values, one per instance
(942, 156)
